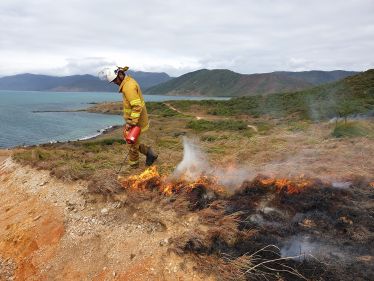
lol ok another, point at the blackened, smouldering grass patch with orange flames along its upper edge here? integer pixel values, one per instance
(247, 235)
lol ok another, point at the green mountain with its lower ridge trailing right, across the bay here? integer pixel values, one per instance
(222, 82)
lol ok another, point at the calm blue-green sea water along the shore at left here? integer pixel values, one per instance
(21, 125)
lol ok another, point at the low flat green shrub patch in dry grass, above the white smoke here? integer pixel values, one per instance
(222, 125)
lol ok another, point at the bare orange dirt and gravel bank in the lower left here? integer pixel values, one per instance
(51, 230)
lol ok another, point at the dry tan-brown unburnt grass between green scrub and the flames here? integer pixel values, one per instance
(279, 148)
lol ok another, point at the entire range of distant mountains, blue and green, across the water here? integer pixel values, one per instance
(203, 82)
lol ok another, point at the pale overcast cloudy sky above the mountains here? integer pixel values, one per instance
(248, 36)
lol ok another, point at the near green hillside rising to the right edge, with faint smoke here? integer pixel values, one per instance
(350, 96)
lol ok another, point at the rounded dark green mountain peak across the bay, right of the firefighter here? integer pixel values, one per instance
(221, 82)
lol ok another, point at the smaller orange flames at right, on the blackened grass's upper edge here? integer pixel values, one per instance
(287, 185)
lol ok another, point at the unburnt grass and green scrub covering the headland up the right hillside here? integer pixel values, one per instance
(261, 129)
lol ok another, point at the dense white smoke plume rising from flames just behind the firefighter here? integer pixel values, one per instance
(195, 164)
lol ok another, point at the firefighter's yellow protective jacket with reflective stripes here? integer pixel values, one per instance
(134, 109)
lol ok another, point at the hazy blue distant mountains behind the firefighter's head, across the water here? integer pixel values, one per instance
(75, 83)
